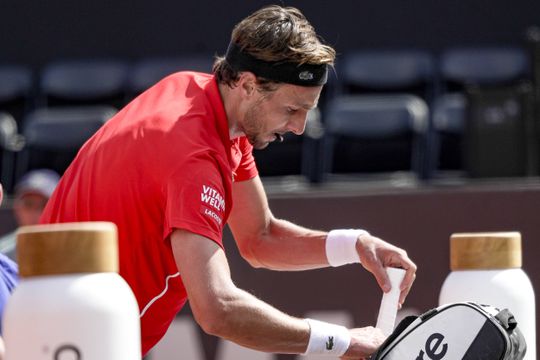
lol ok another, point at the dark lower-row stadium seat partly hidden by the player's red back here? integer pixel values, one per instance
(53, 136)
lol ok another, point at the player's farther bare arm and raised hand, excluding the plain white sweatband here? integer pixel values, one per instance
(277, 244)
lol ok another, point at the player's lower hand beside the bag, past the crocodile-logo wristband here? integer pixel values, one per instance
(364, 342)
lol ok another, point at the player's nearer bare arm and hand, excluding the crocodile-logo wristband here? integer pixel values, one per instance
(224, 310)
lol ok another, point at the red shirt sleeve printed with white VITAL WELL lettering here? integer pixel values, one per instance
(196, 199)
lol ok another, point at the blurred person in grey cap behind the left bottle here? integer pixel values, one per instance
(32, 192)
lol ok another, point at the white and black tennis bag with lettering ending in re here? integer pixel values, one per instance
(456, 331)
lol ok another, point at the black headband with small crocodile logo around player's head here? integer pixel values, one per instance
(287, 72)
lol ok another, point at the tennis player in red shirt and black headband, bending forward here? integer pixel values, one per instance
(175, 165)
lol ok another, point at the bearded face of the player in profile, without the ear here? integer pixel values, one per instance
(272, 114)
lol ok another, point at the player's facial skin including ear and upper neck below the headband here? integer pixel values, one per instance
(264, 117)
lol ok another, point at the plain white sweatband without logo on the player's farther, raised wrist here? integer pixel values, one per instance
(341, 246)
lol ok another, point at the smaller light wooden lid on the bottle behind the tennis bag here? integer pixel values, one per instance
(486, 251)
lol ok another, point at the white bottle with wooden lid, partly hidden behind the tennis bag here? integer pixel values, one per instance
(486, 268)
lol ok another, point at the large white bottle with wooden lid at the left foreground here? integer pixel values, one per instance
(71, 304)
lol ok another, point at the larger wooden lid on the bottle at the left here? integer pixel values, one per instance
(67, 248)
